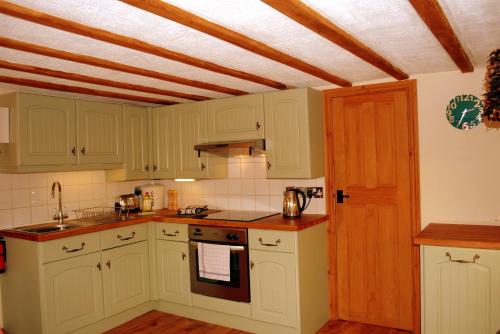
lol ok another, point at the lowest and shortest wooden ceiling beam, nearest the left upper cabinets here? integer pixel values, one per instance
(81, 90)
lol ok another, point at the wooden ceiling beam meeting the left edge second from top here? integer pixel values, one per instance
(94, 61)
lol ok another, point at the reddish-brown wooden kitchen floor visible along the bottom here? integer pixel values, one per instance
(156, 322)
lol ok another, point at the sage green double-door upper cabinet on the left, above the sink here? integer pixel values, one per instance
(50, 133)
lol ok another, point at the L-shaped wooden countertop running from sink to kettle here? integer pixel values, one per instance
(276, 222)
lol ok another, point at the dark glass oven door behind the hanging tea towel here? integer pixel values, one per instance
(237, 289)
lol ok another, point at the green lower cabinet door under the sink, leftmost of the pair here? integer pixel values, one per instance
(73, 293)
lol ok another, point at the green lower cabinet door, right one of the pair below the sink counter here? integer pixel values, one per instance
(125, 277)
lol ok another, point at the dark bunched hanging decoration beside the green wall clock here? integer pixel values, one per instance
(491, 102)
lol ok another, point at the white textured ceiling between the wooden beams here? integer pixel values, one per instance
(391, 28)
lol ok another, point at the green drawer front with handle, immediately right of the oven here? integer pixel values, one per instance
(277, 241)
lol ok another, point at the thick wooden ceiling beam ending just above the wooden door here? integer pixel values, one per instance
(311, 19)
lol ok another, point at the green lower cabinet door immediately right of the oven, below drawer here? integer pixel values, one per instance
(273, 286)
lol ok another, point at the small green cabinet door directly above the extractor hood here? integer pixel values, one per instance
(236, 118)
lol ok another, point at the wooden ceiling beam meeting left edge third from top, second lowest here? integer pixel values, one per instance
(97, 81)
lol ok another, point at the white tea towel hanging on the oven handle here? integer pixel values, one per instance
(213, 261)
